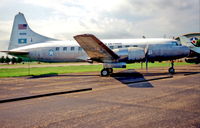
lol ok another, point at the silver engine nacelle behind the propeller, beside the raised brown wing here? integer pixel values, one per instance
(131, 53)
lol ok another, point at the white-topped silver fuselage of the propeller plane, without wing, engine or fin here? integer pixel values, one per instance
(70, 51)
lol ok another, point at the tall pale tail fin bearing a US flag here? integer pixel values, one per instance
(22, 35)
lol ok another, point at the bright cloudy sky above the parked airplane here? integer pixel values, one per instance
(62, 19)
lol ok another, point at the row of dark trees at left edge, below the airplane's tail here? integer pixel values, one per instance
(12, 60)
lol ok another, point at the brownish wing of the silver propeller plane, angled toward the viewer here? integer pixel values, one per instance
(95, 49)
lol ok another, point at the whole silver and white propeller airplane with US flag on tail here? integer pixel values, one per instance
(113, 53)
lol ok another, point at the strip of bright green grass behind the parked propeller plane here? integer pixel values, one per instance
(12, 72)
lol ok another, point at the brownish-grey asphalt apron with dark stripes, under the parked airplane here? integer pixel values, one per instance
(129, 98)
